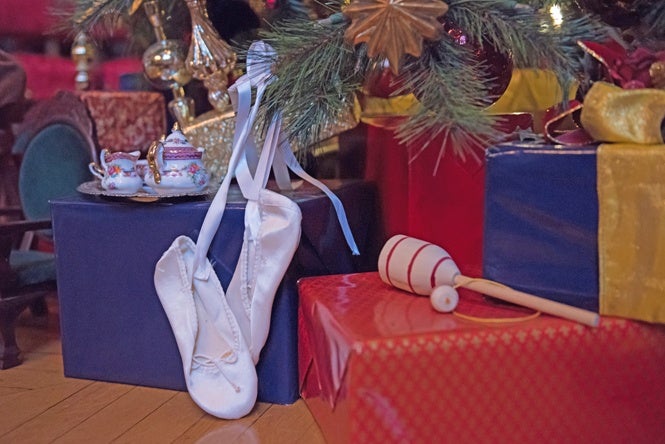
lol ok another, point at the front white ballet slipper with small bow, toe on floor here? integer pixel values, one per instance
(219, 372)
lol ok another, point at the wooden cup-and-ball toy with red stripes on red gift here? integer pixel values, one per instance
(426, 269)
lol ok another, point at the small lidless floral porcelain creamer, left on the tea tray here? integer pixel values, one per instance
(118, 171)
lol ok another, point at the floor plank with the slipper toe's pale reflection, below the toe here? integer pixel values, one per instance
(211, 430)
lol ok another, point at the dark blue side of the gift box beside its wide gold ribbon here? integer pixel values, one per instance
(541, 221)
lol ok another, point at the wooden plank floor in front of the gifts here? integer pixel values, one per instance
(39, 405)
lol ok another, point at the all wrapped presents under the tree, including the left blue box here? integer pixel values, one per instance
(578, 222)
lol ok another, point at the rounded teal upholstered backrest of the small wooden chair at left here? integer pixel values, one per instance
(55, 162)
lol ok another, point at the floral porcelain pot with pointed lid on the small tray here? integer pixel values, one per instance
(175, 166)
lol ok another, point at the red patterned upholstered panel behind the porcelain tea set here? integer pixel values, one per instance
(126, 120)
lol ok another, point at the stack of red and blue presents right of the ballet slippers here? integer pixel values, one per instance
(580, 223)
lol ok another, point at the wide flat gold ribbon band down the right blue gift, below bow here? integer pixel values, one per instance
(631, 231)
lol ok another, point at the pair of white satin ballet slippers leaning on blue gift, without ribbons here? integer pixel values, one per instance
(220, 334)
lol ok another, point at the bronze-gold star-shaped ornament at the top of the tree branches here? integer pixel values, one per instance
(392, 28)
